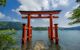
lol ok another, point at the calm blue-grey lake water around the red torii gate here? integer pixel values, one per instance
(68, 39)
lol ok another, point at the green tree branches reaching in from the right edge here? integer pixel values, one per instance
(75, 15)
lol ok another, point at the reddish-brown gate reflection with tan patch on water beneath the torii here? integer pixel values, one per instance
(40, 45)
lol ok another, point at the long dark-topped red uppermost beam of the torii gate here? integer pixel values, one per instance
(41, 12)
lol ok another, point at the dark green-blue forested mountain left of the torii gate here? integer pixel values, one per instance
(10, 25)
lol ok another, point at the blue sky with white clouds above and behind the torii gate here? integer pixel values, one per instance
(11, 11)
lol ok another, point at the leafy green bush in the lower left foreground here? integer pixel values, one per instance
(7, 39)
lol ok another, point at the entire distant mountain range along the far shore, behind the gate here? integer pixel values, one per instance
(18, 26)
